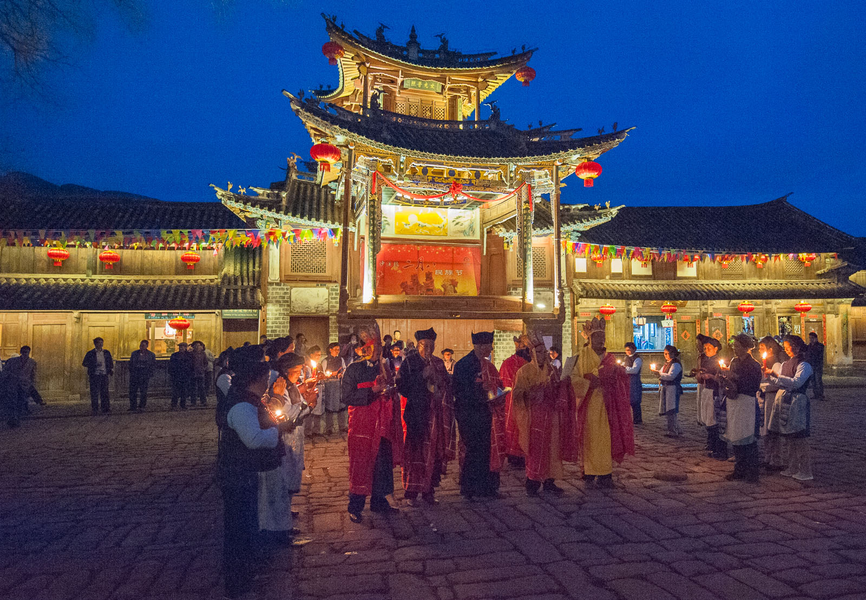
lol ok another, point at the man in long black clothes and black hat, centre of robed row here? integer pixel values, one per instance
(475, 384)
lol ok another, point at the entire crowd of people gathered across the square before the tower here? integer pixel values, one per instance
(401, 405)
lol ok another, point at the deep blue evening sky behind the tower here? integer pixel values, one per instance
(734, 102)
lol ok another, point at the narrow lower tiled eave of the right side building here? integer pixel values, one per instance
(716, 290)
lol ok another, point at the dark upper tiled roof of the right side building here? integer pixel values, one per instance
(772, 227)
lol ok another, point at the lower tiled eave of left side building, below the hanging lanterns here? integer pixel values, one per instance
(107, 293)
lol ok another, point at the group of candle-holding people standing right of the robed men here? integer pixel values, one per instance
(745, 402)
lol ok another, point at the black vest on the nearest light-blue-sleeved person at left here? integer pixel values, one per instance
(234, 457)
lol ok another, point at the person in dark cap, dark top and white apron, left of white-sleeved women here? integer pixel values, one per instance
(741, 382)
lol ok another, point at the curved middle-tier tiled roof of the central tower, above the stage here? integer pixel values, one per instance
(484, 140)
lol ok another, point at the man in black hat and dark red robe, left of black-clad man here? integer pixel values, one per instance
(428, 419)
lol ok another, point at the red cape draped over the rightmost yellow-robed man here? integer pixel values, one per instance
(615, 391)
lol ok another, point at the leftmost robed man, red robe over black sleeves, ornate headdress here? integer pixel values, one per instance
(373, 440)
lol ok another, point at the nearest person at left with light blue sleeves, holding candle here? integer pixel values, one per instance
(248, 445)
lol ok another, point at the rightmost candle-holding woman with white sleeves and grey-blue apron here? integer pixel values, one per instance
(792, 411)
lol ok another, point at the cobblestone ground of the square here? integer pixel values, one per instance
(125, 506)
